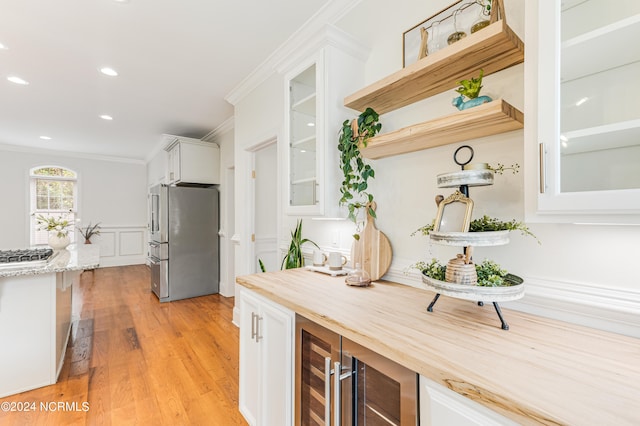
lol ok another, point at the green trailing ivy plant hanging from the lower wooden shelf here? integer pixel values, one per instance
(356, 172)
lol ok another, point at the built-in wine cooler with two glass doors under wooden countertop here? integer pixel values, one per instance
(339, 382)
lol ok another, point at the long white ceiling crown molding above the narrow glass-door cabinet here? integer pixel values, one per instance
(301, 40)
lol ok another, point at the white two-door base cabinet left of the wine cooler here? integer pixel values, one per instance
(266, 361)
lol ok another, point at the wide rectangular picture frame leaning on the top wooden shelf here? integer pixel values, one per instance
(430, 35)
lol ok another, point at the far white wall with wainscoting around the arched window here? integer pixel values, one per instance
(110, 192)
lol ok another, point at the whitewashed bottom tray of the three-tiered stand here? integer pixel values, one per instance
(475, 292)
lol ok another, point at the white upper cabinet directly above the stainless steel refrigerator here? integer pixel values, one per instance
(192, 161)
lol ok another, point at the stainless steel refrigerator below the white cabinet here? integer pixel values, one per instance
(184, 247)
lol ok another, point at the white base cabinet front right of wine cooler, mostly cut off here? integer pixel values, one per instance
(440, 406)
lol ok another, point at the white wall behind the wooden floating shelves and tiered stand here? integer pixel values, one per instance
(580, 273)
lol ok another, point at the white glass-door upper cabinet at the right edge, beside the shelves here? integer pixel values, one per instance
(588, 109)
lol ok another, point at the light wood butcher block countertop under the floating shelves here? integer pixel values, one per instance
(541, 371)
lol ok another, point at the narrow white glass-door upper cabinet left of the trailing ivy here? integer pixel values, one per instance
(314, 112)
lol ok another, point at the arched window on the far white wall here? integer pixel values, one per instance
(53, 194)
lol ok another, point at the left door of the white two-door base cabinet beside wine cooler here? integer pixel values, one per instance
(249, 398)
